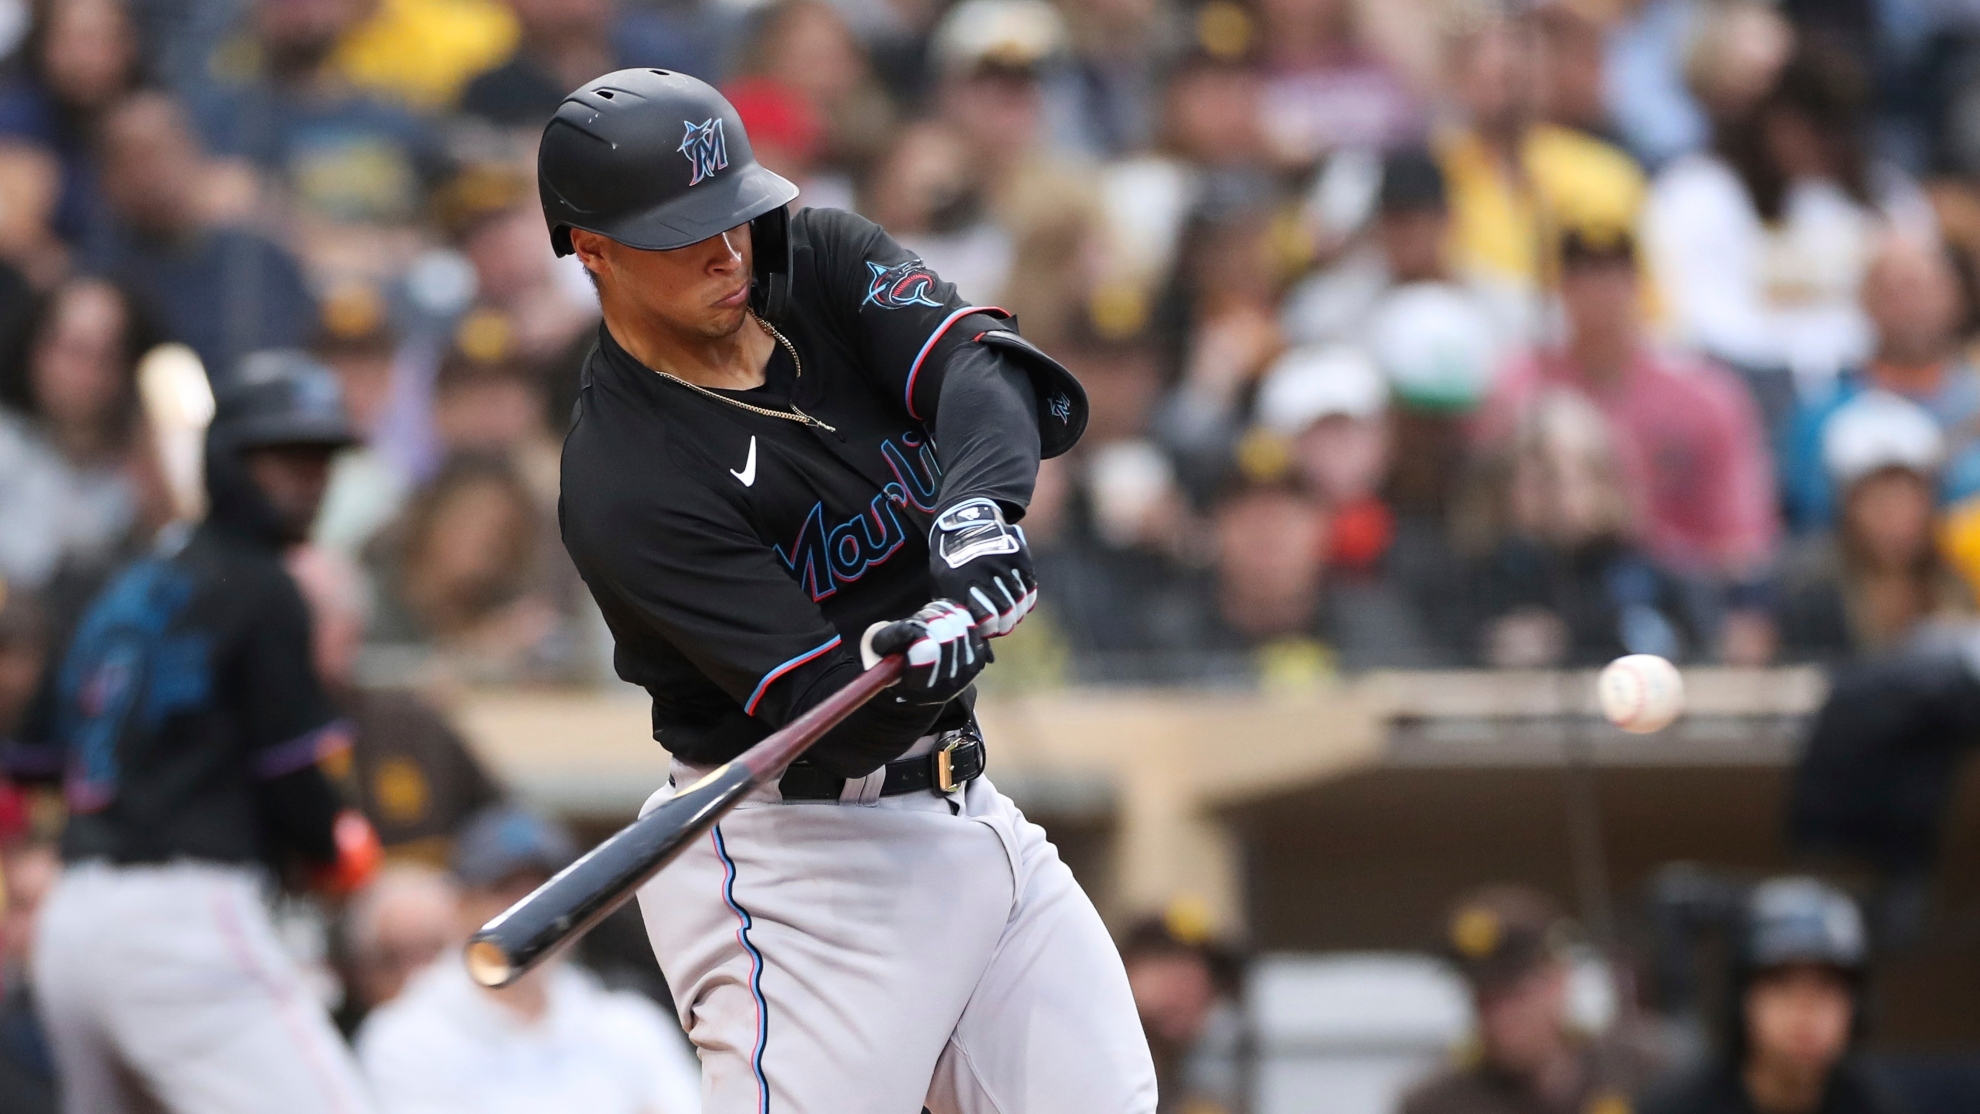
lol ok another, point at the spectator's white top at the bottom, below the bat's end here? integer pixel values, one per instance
(448, 1048)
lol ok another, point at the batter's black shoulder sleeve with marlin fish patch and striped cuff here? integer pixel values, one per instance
(900, 316)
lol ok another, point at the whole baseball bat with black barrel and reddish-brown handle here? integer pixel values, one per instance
(591, 889)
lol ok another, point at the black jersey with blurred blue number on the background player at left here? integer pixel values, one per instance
(185, 713)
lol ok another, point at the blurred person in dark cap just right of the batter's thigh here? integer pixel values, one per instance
(1185, 988)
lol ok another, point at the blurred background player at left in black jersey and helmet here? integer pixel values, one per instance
(187, 723)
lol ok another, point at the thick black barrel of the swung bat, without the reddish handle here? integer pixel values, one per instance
(599, 883)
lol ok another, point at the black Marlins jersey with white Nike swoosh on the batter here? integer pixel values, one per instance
(740, 557)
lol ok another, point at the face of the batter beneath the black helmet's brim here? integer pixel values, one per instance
(700, 290)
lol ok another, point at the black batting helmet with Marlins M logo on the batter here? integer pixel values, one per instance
(658, 161)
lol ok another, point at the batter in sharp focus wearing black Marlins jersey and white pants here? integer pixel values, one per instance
(797, 448)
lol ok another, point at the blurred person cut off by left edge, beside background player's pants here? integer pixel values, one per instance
(29, 870)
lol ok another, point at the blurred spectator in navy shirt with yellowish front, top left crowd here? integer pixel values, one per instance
(349, 167)
